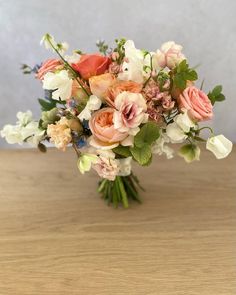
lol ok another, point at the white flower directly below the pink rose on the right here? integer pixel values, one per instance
(177, 130)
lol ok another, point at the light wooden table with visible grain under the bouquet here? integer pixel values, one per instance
(58, 237)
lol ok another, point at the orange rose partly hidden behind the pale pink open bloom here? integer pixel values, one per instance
(121, 86)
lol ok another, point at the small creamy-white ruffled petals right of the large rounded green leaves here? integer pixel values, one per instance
(160, 147)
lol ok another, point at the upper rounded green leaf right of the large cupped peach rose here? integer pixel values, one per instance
(147, 134)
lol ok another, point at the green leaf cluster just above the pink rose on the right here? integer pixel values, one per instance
(182, 74)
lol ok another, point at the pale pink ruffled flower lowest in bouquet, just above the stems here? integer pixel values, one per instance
(107, 167)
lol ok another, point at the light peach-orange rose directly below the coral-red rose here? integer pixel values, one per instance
(100, 84)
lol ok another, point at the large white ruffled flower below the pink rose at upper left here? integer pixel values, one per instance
(60, 82)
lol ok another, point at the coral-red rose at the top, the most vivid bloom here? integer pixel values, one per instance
(91, 65)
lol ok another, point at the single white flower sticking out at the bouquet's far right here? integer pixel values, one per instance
(219, 145)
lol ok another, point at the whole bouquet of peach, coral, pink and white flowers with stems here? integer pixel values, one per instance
(117, 106)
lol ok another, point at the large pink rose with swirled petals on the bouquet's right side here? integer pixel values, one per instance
(197, 103)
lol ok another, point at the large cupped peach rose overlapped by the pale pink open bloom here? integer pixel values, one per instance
(104, 135)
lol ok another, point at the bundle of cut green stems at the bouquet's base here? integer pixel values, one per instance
(120, 190)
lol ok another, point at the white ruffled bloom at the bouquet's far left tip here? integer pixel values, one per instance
(12, 134)
